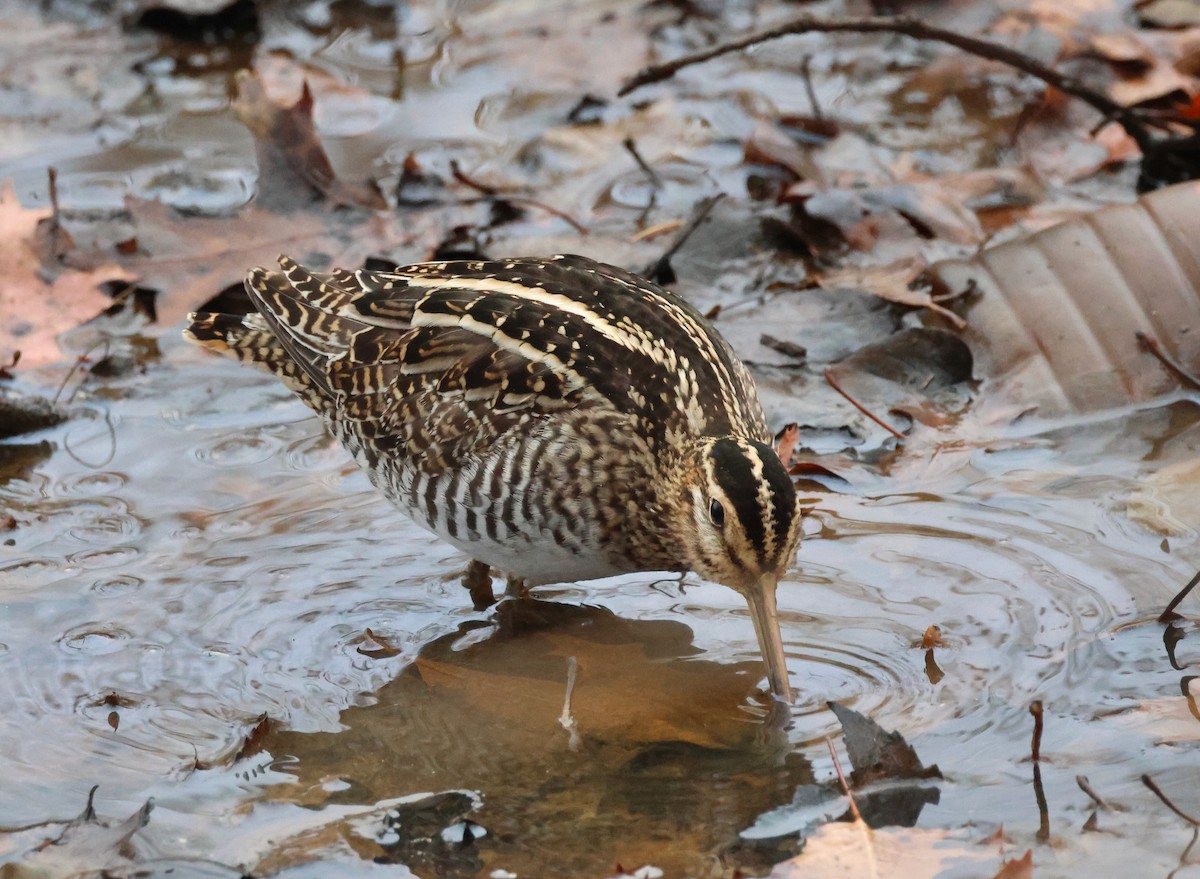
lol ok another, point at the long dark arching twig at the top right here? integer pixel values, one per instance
(920, 31)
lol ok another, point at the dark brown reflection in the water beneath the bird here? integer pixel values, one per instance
(669, 744)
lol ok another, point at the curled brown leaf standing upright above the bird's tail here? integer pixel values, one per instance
(289, 133)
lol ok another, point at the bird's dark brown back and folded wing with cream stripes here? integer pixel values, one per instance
(448, 356)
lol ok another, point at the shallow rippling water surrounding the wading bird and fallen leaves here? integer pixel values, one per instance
(191, 553)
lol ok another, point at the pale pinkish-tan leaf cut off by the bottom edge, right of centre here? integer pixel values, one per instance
(838, 851)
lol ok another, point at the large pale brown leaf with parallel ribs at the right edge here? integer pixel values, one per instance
(1058, 312)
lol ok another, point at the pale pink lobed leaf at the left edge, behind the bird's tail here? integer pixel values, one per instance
(34, 313)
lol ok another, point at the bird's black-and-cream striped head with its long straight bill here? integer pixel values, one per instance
(739, 525)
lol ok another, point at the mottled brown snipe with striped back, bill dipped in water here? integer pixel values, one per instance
(556, 420)
